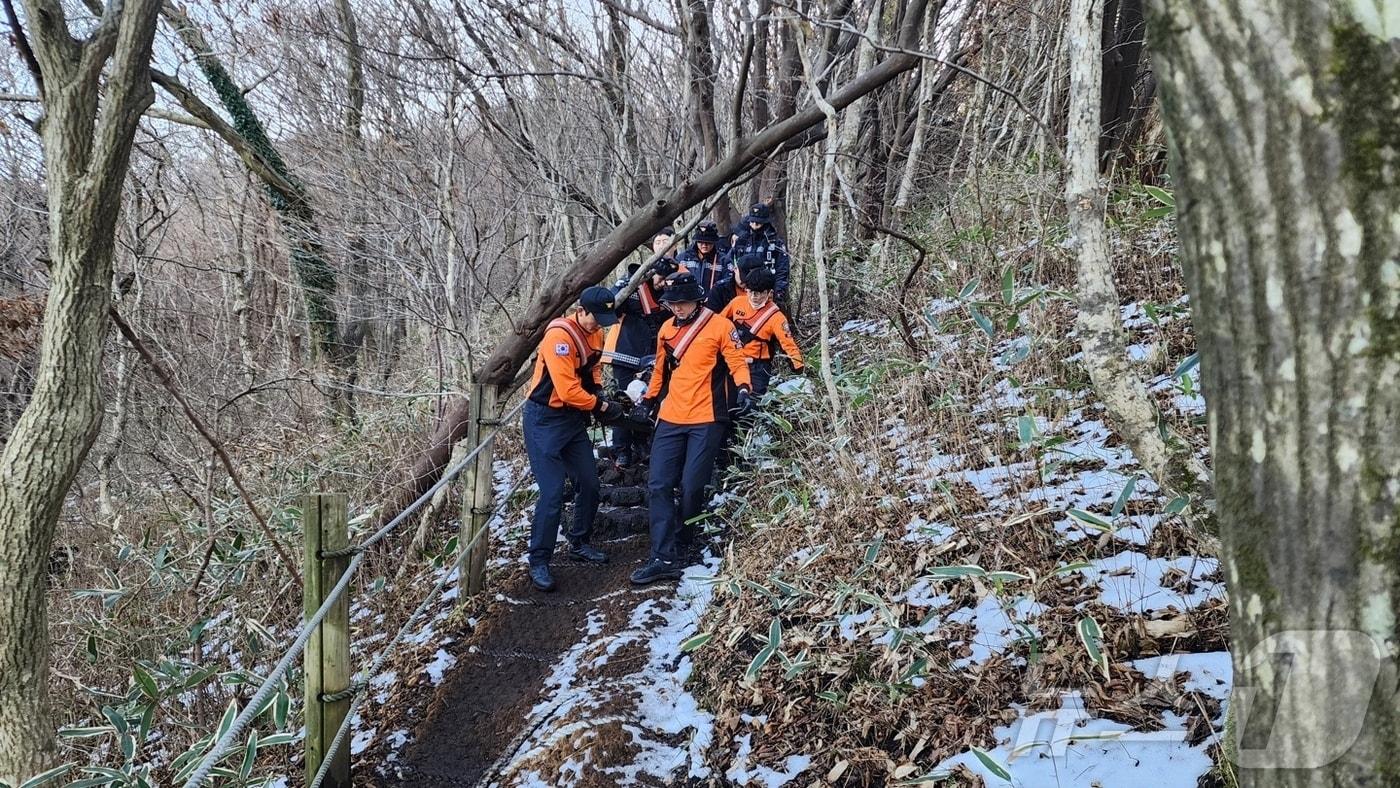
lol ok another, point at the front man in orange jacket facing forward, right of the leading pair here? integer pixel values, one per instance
(699, 365)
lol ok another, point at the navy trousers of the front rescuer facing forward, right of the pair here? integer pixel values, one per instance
(681, 456)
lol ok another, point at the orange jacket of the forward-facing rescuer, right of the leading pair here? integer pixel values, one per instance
(695, 366)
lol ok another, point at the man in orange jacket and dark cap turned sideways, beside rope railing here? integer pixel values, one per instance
(563, 393)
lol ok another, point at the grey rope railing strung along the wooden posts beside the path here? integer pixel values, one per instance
(225, 745)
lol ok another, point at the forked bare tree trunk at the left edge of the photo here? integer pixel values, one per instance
(86, 156)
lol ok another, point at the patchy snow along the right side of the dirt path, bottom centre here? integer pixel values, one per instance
(645, 698)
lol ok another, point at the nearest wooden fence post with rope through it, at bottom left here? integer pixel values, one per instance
(327, 657)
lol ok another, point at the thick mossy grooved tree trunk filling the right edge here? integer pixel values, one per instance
(1284, 136)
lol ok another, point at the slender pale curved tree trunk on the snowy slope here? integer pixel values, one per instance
(1100, 323)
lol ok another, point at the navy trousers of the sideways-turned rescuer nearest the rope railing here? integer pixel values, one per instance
(556, 440)
